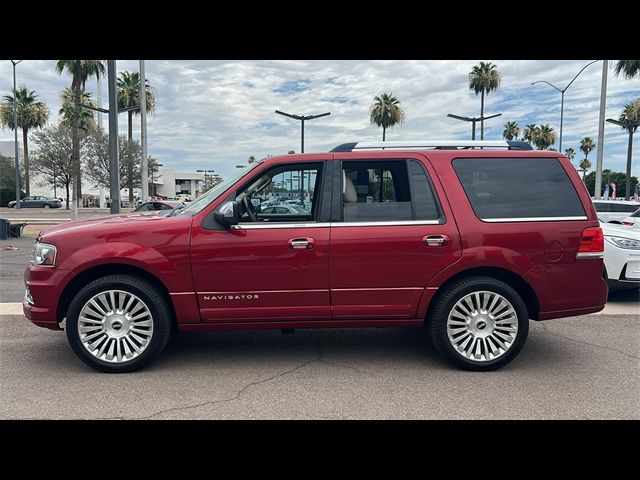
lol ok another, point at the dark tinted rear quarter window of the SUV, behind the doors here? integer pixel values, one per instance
(503, 188)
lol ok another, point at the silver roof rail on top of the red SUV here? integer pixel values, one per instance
(433, 144)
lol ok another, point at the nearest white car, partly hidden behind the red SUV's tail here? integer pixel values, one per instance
(621, 256)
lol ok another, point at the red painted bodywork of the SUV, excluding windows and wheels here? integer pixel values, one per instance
(331, 276)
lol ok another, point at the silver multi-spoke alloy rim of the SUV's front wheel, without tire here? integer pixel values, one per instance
(115, 326)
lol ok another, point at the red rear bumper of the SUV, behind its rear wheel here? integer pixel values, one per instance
(566, 290)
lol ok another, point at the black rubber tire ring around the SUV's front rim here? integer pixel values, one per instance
(156, 302)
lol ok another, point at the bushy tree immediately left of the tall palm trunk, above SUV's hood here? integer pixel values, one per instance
(53, 158)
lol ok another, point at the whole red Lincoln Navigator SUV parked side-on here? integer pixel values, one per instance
(469, 239)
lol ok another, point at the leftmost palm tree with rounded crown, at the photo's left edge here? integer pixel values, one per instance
(30, 113)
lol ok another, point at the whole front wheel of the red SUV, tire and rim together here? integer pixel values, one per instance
(118, 323)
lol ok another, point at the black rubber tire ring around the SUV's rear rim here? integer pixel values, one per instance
(447, 298)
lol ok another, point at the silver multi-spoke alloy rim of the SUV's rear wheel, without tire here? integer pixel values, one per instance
(482, 326)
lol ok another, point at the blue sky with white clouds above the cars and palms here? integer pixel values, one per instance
(215, 114)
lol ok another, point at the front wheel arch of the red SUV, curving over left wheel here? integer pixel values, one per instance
(95, 272)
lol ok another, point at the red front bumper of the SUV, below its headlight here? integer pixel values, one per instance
(44, 287)
